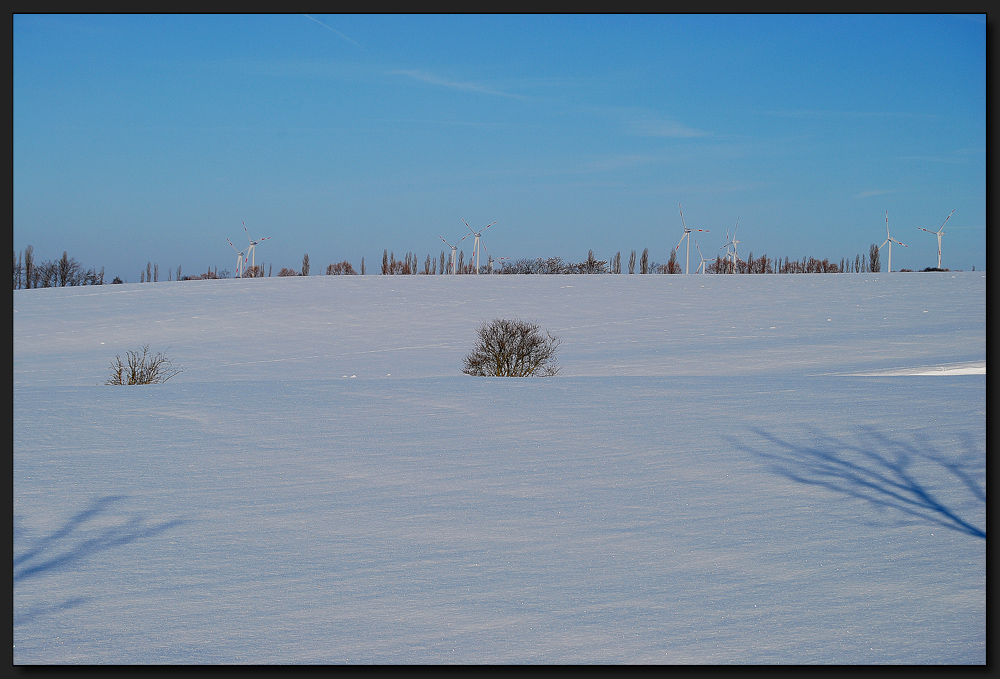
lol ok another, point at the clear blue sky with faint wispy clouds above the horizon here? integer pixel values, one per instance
(153, 138)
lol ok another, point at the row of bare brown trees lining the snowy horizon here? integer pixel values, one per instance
(29, 273)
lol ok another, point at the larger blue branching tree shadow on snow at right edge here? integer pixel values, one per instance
(882, 471)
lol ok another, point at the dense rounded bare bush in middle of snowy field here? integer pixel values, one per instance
(512, 348)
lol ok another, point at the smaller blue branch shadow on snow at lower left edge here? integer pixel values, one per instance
(81, 536)
